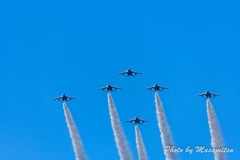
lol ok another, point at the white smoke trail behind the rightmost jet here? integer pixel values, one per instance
(215, 131)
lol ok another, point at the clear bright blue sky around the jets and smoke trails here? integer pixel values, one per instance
(52, 47)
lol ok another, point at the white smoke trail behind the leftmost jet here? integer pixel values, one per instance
(76, 141)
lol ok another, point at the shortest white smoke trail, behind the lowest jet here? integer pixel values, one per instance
(142, 154)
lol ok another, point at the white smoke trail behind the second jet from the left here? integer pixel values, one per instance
(122, 144)
